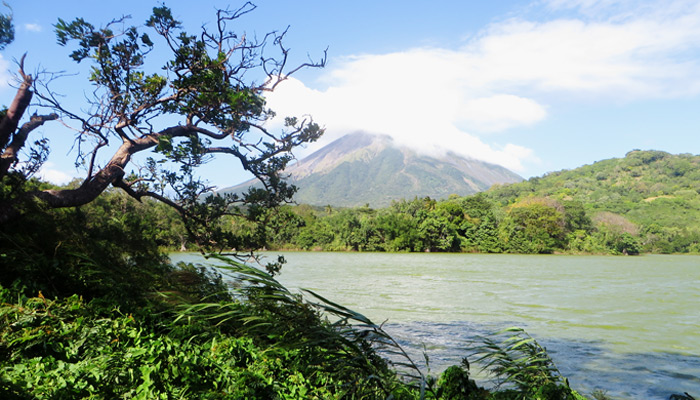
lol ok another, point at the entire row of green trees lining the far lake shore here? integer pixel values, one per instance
(481, 223)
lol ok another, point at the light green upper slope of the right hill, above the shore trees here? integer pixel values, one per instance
(650, 188)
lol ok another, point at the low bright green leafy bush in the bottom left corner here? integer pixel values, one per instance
(69, 349)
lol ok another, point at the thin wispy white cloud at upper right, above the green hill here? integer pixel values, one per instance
(646, 57)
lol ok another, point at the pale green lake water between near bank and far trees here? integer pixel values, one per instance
(629, 326)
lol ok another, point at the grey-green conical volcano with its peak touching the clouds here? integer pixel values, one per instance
(360, 169)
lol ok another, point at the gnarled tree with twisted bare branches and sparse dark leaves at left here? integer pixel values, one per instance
(207, 99)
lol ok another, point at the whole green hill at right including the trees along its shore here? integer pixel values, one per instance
(647, 201)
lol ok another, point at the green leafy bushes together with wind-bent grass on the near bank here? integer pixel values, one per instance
(267, 344)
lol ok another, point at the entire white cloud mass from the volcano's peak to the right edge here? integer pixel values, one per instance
(505, 77)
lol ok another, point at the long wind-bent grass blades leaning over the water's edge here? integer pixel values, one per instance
(331, 335)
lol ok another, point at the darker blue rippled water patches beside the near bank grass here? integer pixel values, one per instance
(589, 365)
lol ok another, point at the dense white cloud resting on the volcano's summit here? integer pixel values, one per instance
(391, 94)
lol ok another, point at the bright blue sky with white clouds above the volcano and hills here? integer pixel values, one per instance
(536, 86)
